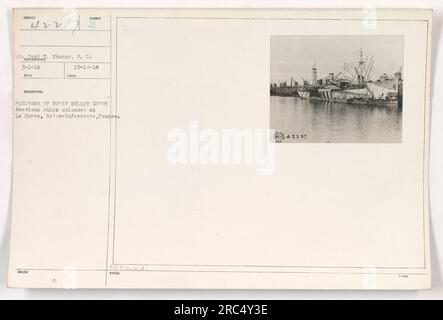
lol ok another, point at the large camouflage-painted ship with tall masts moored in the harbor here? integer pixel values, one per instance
(354, 85)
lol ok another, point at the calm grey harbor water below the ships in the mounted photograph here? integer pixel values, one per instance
(300, 120)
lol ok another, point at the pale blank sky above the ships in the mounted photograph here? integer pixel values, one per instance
(294, 56)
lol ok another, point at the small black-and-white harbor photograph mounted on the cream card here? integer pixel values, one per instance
(336, 89)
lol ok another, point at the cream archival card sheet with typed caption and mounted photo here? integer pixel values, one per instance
(151, 149)
